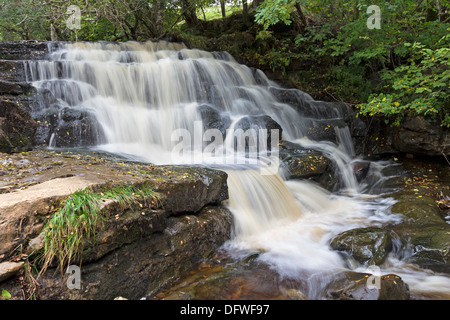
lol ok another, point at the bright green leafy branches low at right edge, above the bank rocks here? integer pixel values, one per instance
(418, 88)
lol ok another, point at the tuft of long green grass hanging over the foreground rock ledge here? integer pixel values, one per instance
(79, 219)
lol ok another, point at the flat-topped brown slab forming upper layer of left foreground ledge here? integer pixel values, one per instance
(33, 185)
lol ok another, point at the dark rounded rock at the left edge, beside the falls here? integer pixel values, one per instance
(17, 128)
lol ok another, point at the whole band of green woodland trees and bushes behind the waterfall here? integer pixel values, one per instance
(322, 47)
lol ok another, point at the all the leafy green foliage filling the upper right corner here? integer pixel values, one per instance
(397, 71)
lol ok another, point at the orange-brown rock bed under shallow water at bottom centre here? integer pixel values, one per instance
(223, 277)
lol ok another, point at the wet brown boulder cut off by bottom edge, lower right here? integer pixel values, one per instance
(362, 286)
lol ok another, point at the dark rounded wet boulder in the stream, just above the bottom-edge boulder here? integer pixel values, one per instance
(366, 245)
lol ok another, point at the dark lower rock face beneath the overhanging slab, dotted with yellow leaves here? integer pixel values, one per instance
(141, 267)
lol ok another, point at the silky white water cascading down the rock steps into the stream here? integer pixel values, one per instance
(139, 99)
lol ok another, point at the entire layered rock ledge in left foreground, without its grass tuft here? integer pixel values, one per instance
(139, 247)
